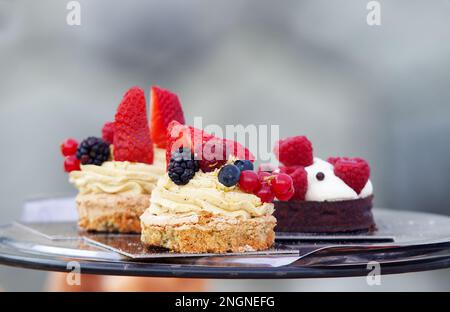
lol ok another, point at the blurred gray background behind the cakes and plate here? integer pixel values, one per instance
(313, 67)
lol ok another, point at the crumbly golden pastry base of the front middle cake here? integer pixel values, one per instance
(212, 235)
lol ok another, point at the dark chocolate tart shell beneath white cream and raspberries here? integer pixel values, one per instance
(325, 217)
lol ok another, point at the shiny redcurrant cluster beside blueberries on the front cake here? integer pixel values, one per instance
(267, 186)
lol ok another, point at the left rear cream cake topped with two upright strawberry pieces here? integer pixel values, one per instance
(116, 174)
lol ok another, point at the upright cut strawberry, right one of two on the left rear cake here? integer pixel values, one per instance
(166, 107)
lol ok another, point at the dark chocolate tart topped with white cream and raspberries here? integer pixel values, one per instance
(329, 196)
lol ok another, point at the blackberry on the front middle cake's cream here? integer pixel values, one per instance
(182, 166)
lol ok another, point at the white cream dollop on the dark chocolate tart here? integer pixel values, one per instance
(331, 188)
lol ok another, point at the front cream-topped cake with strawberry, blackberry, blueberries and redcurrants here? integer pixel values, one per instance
(210, 199)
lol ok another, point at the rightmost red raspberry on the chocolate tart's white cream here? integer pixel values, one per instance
(355, 172)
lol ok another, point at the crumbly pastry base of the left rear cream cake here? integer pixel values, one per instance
(111, 212)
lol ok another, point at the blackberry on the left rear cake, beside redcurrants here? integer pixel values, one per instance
(93, 151)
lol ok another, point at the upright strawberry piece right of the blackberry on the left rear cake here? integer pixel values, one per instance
(132, 140)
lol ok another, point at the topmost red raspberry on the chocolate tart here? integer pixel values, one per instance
(294, 151)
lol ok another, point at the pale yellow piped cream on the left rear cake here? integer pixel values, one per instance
(114, 177)
